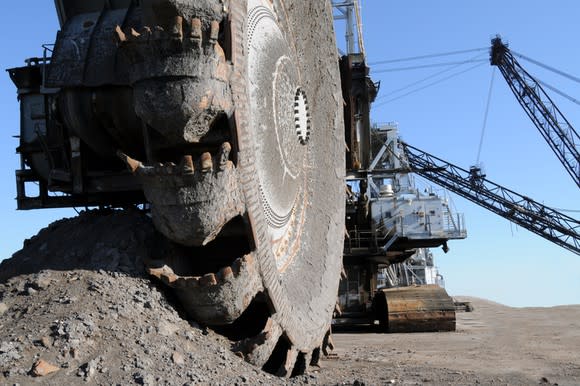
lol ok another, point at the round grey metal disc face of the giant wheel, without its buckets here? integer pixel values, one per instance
(291, 153)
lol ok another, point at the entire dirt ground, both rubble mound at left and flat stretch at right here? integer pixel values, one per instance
(76, 308)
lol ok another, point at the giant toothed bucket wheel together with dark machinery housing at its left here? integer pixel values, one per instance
(225, 118)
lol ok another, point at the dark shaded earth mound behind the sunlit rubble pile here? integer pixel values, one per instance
(116, 241)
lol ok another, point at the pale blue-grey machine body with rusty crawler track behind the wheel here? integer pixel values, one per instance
(388, 223)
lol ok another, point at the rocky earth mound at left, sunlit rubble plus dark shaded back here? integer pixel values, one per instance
(76, 307)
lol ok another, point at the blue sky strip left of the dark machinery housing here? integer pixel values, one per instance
(24, 27)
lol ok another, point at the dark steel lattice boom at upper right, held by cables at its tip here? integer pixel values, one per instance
(554, 127)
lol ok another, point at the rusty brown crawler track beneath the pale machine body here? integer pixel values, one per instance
(425, 308)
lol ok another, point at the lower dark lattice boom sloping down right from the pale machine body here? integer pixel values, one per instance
(529, 214)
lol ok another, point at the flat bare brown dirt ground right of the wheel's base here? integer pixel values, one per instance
(494, 344)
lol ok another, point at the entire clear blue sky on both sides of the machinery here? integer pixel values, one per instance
(499, 261)
